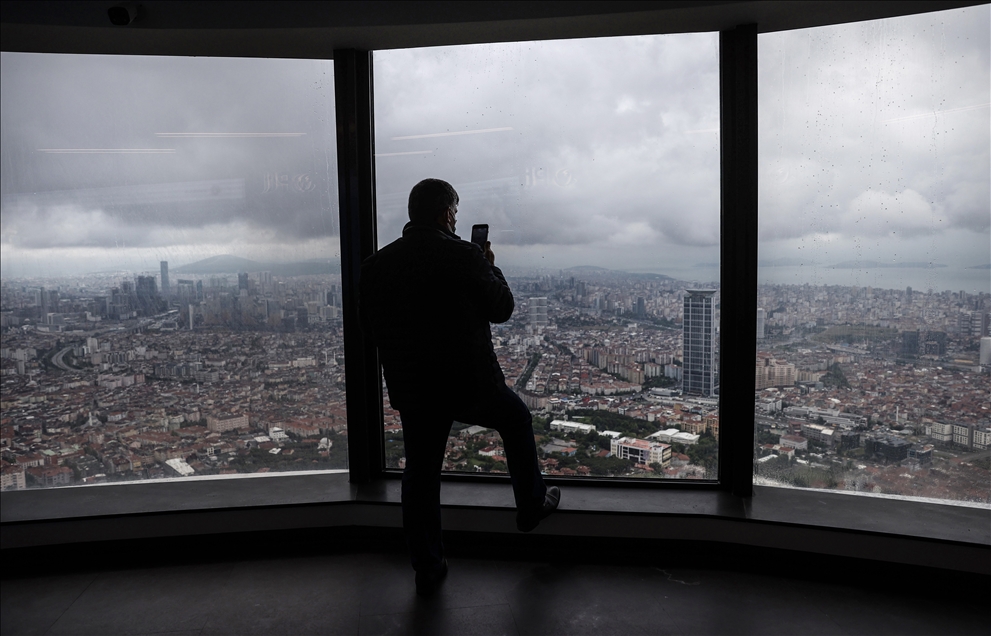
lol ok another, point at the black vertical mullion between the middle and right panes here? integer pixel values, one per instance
(738, 254)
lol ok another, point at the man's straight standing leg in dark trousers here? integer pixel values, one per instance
(425, 434)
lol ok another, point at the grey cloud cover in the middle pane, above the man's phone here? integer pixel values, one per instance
(605, 147)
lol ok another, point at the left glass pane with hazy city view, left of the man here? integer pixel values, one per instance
(170, 269)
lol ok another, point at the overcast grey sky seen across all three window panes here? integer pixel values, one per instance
(874, 145)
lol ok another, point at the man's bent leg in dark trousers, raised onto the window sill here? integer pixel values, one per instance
(510, 417)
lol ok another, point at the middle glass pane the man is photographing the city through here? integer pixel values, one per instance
(595, 164)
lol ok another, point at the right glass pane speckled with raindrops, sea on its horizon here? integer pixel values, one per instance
(875, 261)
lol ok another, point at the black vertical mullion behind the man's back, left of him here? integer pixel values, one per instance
(356, 190)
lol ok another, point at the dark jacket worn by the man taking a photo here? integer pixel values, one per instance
(426, 301)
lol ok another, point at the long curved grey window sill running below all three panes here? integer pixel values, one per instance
(918, 533)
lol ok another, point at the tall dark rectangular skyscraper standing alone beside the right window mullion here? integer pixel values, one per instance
(698, 343)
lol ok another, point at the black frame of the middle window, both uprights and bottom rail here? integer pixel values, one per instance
(738, 269)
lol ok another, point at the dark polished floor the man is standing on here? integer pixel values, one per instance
(615, 591)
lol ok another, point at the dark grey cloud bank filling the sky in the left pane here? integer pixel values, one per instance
(85, 162)
